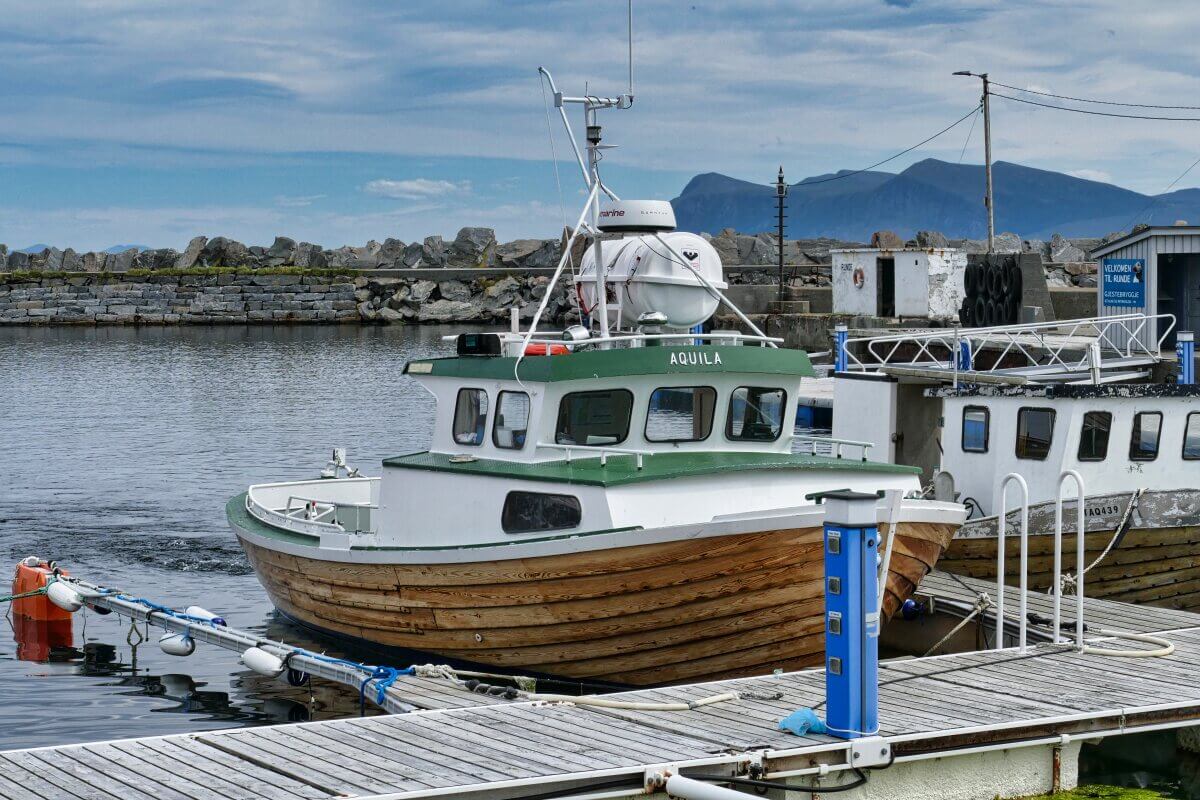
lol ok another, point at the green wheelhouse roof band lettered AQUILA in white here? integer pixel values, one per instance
(629, 362)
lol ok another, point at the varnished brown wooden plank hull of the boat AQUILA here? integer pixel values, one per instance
(686, 611)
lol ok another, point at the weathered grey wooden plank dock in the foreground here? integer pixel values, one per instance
(477, 747)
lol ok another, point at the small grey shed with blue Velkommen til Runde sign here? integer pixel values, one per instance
(1154, 272)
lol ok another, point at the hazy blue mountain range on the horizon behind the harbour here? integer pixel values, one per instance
(929, 196)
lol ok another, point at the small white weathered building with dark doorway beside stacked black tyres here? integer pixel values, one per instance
(925, 282)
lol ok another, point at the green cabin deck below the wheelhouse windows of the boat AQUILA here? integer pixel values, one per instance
(623, 470)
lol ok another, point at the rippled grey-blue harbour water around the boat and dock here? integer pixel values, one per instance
(121, 449)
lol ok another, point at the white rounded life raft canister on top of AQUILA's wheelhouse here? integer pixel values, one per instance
(645, 276)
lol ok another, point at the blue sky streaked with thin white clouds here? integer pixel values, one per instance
(149, 122)
